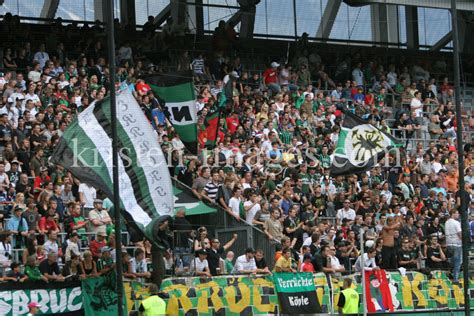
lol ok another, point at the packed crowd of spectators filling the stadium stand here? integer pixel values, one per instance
(275, 145)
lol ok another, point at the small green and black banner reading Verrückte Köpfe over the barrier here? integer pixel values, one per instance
(296, 293)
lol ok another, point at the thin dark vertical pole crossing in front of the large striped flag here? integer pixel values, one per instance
(115, 172)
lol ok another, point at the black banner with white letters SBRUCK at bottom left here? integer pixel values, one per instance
(55, 298)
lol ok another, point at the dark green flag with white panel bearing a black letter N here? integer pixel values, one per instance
(177, 90)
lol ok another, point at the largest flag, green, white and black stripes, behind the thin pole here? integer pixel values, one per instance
(85, 149)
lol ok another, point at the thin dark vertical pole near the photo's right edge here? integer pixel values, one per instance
(463, 209)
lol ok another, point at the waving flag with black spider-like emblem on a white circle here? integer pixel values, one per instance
(360, 146)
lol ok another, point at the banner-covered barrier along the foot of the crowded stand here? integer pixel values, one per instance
(229, 295)
